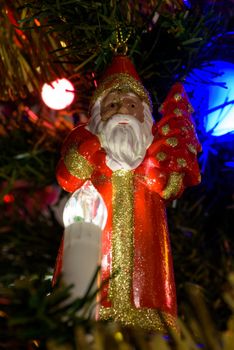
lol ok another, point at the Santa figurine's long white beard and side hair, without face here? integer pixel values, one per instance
(125, 144)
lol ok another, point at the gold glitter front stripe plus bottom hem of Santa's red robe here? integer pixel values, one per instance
(122, 309)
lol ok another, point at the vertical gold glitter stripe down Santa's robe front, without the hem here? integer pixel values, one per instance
(122, 238)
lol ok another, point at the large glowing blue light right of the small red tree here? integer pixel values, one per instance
(212, 96)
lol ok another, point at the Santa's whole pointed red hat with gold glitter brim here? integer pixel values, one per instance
(122, 76)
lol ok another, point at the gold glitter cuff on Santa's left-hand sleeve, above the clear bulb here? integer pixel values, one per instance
(77, 165)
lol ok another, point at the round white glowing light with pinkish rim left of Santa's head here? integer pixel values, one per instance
(59, 94)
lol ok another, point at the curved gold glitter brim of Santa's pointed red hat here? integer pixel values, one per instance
(122, 82)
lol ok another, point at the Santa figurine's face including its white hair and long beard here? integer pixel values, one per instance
(125, 131)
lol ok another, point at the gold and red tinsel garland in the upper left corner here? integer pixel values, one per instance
(26, 61)
